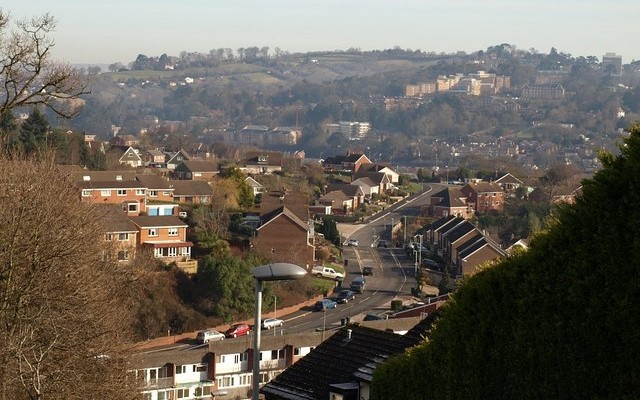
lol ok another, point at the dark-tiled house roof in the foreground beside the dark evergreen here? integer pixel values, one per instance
(342, 366)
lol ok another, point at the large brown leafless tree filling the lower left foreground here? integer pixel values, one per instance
(64, 314)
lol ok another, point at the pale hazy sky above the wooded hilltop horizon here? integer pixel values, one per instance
(108, 31)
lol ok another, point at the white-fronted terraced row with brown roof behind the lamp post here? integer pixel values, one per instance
(222, 368)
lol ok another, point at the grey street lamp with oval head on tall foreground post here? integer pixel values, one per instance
(268, 272)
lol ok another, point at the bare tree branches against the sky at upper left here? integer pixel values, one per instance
(28, 74)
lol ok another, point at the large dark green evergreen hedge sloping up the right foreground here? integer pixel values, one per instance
(560, 321)
